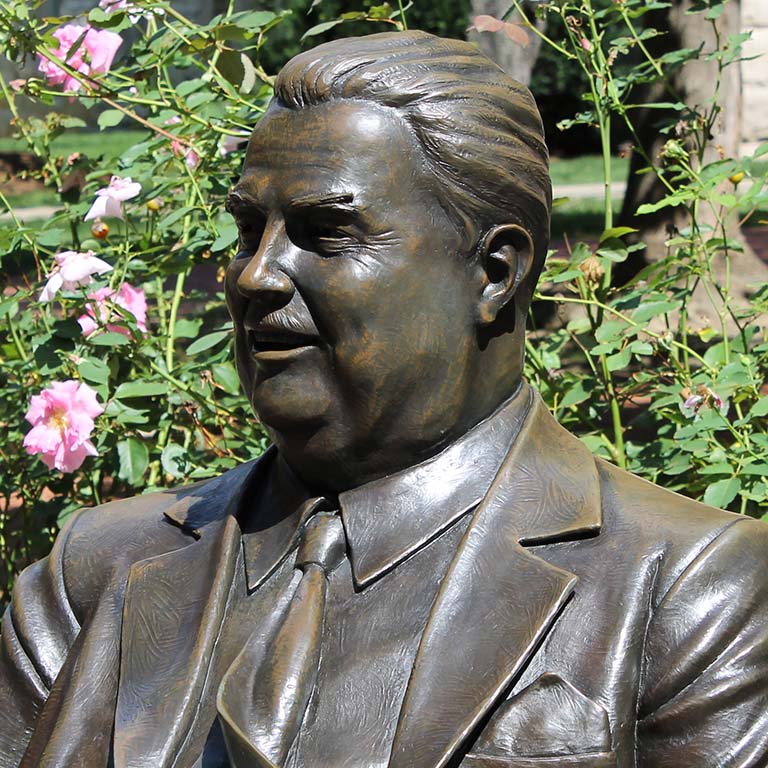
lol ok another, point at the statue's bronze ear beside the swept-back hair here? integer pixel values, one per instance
(505, 258)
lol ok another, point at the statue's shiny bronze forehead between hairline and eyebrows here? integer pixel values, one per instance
(355, 144)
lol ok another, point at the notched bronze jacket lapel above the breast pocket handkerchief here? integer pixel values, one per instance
(498, 600)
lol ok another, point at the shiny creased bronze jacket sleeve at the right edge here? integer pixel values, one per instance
(704, 701)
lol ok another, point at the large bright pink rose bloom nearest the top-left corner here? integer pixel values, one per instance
(94, 54)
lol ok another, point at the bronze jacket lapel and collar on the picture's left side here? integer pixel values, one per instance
(172, 615)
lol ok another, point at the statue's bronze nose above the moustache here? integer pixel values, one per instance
(263, 280)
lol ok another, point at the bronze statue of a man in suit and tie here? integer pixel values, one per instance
(425, 570)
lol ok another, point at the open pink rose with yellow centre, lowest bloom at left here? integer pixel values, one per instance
(62, 422)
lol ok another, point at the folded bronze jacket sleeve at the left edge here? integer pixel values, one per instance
(38, 630)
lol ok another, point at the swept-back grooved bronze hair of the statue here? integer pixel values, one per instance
(480, 130)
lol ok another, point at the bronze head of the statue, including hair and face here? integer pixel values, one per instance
(394, 216)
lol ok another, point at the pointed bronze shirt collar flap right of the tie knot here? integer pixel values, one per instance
(390, 519)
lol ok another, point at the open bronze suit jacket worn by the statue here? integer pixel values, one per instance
(588, 618)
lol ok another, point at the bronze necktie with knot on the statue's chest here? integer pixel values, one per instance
(264, 694)
